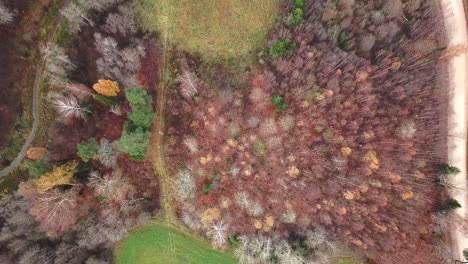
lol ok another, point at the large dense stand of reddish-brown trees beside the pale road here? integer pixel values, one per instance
(353, 153)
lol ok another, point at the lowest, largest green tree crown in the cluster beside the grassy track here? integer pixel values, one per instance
(135, 143)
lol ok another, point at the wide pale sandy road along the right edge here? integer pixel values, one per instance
(455, 22)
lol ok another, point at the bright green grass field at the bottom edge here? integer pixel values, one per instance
(156, 244)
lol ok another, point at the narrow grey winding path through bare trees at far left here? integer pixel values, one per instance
(36, 87)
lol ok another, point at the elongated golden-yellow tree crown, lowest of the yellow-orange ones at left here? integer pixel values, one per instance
(58, 176)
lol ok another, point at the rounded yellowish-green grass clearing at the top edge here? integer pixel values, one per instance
(217, 30)
